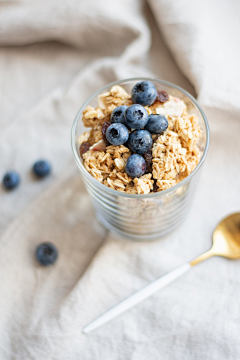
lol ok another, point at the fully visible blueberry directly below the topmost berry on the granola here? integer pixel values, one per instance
(136, 116)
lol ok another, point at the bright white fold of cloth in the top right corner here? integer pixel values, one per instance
(202, 38)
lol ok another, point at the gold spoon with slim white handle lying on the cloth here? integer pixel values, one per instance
(226, 242)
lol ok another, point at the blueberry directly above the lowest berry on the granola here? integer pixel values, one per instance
(140, 141)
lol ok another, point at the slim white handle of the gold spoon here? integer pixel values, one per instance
(137, 297)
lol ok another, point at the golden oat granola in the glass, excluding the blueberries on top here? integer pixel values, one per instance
(173, 156)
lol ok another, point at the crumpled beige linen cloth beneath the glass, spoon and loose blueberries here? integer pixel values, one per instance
(53, 55)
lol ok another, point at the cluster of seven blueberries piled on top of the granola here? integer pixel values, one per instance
(124, 119)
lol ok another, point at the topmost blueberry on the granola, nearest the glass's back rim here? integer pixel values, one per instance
(144, 93)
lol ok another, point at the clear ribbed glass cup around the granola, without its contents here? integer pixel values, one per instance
(143, 217)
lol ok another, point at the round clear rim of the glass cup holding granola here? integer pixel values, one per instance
(138, 196)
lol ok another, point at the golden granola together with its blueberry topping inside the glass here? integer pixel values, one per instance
(152, 137)
